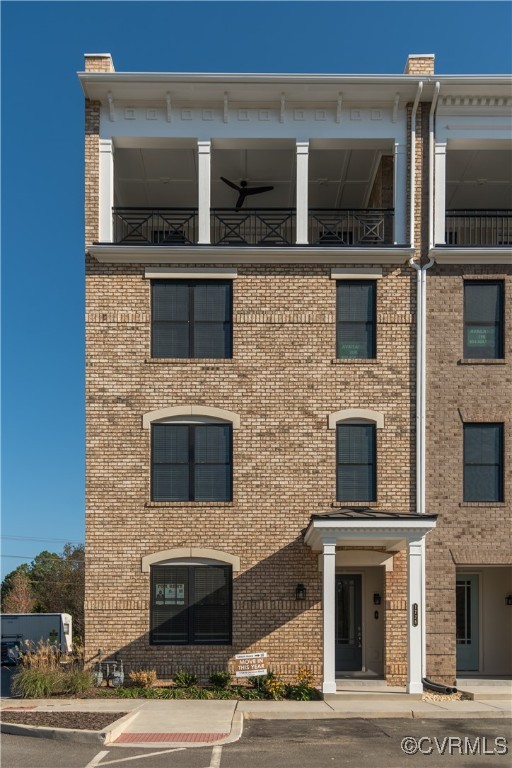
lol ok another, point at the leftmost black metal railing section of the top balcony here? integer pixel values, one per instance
(155, 226)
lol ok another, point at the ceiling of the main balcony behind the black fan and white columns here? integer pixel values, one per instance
(167, 177)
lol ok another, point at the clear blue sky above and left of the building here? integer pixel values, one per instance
(42, 183)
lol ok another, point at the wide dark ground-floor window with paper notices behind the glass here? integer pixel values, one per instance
(191, 604)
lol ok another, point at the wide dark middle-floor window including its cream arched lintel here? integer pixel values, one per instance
(191, 453)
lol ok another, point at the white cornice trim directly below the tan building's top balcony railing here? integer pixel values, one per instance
(129, 254)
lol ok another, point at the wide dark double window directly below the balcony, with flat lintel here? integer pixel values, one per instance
(191, 318)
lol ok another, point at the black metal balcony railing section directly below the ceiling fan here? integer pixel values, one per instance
(257, 226)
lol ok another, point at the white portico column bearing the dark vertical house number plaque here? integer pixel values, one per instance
(415, 627)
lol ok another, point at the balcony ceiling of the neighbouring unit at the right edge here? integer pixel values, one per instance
(478, 179)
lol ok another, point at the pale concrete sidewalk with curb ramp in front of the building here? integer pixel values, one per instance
(206, 723)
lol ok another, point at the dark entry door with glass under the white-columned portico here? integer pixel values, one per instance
(349, 639)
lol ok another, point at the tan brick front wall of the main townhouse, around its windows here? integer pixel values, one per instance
(283, 381)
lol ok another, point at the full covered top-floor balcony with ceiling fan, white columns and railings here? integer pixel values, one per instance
(264, 193)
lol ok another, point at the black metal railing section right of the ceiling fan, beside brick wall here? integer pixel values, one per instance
(343, 227)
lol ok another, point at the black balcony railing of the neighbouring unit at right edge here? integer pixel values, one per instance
(479, 227)
